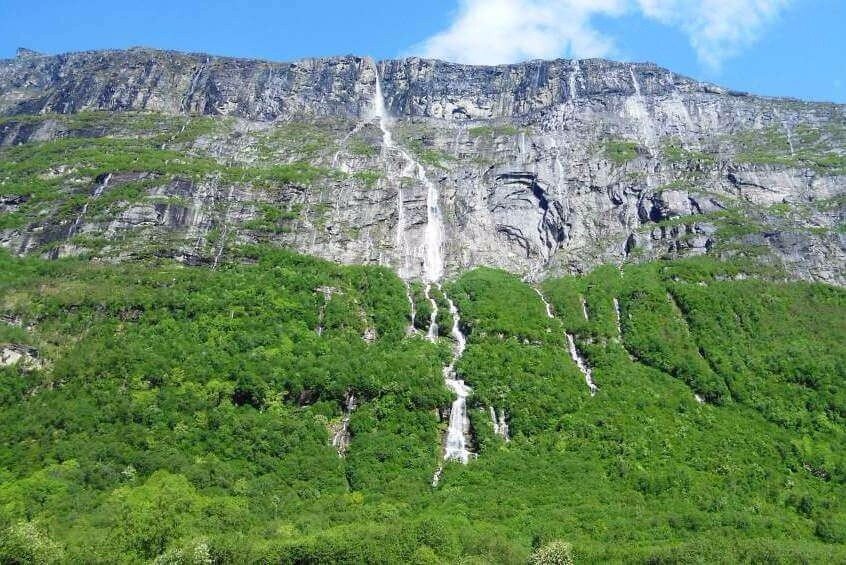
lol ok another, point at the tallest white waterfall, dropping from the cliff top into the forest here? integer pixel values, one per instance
(455, 447)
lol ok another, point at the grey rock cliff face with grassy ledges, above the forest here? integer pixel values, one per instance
(542, 167)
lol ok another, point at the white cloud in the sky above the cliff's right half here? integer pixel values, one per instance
(506, 31)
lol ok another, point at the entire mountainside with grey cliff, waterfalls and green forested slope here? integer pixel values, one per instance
(346, 311)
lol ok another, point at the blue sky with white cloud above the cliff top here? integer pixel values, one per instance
(774, 47)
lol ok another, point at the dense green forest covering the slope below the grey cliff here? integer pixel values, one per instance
(177, 414)
